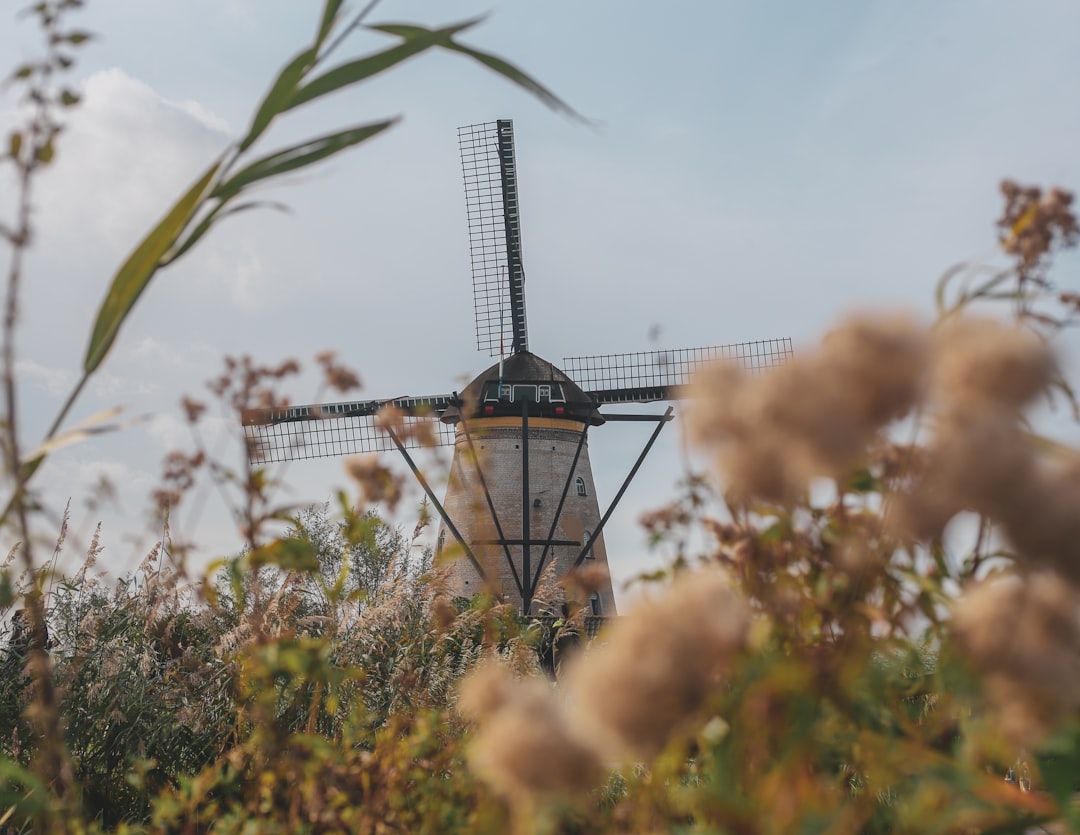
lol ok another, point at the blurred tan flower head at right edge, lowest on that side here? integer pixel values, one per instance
(1023, 636)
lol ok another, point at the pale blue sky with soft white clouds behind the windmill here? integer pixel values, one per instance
(746, 171)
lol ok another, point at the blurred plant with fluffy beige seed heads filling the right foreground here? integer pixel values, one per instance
(883, 636)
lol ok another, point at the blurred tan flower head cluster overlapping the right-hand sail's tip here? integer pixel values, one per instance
(814, 416)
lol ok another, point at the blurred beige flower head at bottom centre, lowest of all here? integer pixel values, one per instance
(524, 747)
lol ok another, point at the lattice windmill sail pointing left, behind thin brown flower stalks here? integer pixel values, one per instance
(334, 429)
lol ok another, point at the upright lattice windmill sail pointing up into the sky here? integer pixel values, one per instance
(495, 236)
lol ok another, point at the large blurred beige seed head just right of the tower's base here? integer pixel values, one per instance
(659, 665)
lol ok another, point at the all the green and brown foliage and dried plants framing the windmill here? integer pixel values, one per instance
(839, 658)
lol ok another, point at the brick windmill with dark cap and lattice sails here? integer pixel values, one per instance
(521, 501)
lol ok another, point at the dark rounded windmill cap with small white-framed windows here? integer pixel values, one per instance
(524, 376)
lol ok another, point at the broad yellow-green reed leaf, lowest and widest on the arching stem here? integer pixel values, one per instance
(136, 274)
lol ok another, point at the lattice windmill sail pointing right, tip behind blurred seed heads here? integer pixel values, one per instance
(650, 376)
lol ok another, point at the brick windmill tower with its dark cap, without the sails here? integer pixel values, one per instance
(521, 442)
